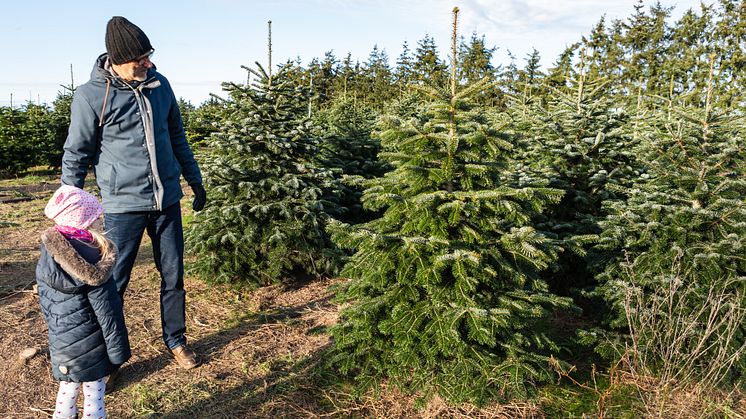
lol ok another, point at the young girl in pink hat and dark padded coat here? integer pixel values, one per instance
(87, 336)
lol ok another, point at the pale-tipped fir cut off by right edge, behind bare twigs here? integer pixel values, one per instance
(683, 227)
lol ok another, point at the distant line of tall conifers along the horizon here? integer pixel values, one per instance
(644, 54)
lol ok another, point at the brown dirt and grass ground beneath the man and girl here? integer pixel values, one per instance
(258, 347)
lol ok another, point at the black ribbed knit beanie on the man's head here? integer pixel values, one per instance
(125, 41)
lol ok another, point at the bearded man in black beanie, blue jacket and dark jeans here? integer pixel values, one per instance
(125, 121)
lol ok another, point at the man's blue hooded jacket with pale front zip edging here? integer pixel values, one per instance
(133, 135)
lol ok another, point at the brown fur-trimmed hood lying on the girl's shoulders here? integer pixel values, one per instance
(73, 263)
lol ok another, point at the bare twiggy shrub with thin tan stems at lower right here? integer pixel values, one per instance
(689, 336)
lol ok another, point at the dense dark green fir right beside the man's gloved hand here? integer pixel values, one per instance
(267, 201)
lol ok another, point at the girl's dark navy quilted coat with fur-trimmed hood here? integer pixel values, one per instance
(87, 334)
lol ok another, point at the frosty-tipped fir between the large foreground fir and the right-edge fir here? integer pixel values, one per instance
(579, 142)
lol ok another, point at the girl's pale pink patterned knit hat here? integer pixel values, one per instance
(73, 207)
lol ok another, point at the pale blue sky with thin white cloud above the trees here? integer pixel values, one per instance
(201, 43)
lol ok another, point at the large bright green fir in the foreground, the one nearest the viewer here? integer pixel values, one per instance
(444, 293)
